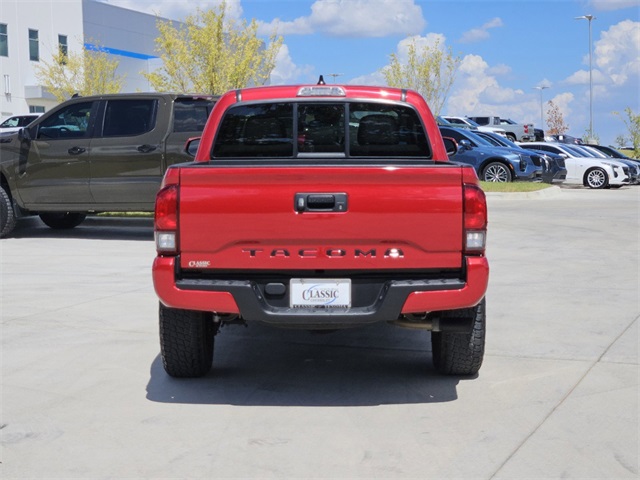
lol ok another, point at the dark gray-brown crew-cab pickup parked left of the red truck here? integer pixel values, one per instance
(96, 154)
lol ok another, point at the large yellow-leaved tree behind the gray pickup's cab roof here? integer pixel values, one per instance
(211, 53)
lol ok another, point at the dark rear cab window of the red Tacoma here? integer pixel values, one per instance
(331, 130)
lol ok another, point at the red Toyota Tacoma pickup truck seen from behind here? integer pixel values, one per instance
(321, 207)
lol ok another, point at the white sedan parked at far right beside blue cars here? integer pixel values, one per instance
(591, 172)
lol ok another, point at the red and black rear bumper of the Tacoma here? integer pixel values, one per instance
(245, 298)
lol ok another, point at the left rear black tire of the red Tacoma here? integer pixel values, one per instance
(186, 342)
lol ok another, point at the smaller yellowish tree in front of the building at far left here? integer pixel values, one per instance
(89, 72)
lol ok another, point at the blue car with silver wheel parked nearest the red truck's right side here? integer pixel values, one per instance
(492, 164)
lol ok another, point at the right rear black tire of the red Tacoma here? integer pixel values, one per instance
(461, 353)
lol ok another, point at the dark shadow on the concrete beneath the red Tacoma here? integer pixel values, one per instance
(263, 366)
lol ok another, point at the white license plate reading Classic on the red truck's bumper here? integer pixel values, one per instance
(321, 293)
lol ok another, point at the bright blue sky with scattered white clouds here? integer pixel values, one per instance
(507, 48)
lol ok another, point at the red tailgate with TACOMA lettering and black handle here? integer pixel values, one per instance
(246, 217)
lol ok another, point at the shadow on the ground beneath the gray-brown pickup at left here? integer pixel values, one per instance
(93, 228)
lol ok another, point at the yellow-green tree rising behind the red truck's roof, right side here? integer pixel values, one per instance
(430, 70)
